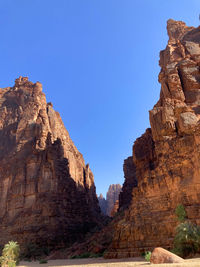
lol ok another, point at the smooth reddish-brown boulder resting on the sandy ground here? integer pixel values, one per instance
(160, 255)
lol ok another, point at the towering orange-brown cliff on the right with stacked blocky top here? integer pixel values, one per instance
(166, 158)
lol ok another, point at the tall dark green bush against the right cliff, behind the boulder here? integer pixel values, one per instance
(187, 238)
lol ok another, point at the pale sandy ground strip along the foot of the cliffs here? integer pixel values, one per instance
(100, 262)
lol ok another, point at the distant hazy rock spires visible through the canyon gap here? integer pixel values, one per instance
(110, 204)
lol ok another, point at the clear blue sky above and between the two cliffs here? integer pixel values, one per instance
(98, 63)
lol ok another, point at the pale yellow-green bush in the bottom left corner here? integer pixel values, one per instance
(10, 254)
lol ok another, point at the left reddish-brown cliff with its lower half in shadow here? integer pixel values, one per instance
(48, 195)
